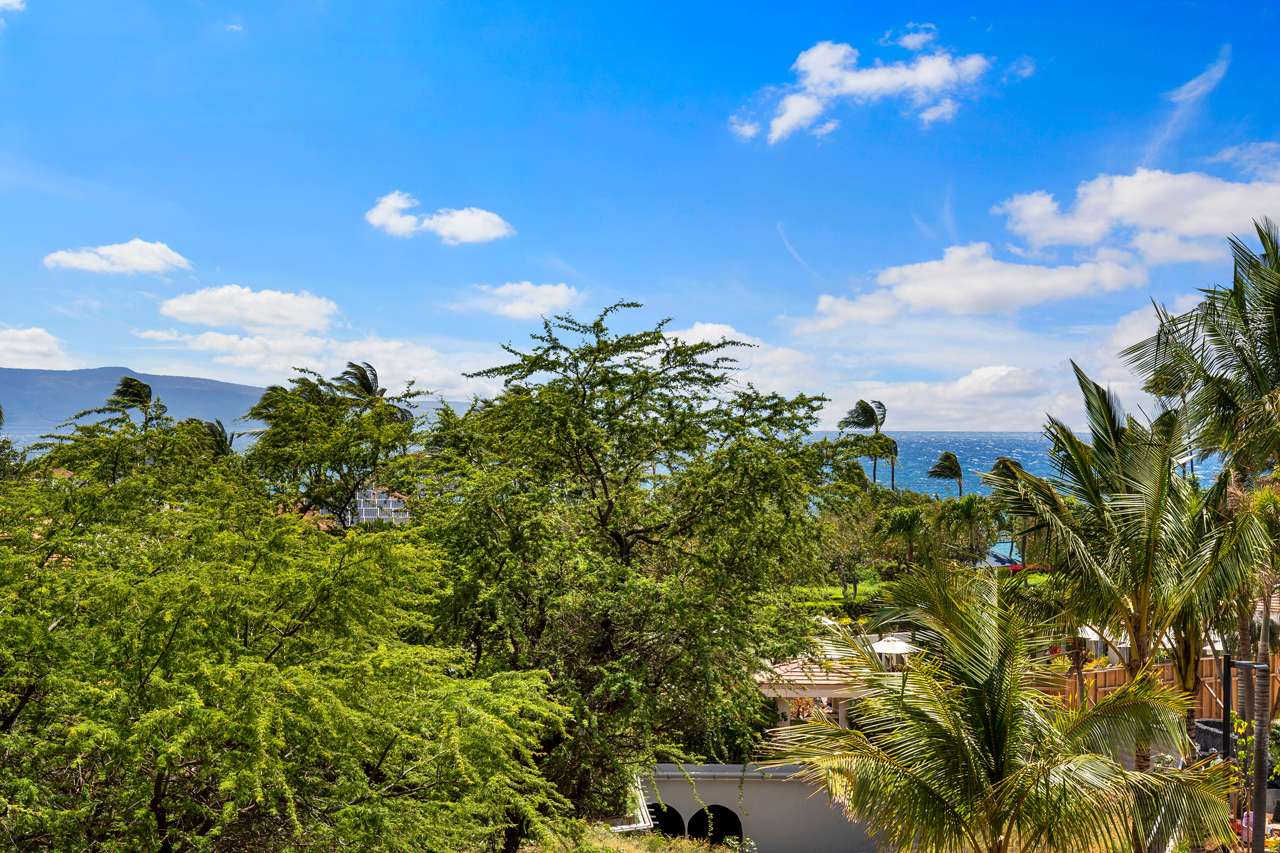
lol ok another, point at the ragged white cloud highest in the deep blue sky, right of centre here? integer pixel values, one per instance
(830, 71)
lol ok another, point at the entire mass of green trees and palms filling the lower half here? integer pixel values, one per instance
(207, 647)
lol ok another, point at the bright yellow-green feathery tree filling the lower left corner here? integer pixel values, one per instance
(184, 667)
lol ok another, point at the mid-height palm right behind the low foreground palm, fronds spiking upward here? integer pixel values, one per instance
(1133, 544)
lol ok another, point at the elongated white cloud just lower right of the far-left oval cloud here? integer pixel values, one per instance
(241, 308)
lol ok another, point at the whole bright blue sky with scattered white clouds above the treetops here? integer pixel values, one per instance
(927, 204)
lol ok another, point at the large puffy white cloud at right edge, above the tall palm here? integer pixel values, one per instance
(1168, 217)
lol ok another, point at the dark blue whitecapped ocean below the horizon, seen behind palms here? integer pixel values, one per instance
(918, 451)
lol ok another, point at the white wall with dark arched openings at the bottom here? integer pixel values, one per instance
(781, 815)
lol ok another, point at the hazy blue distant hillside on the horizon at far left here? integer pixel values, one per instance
(40, 400)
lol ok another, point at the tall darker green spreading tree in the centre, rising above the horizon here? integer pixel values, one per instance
(628, 519)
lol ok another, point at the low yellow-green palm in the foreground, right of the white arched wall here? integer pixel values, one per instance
(964, 752)
